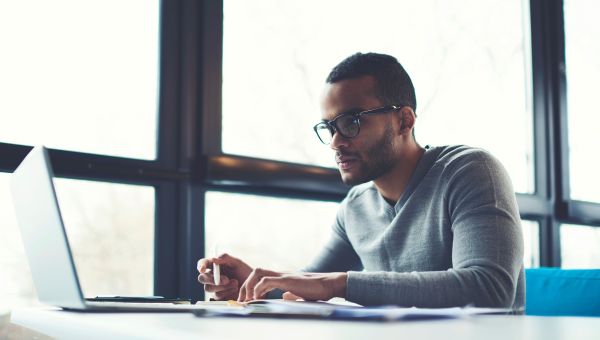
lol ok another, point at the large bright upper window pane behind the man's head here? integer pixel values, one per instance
(470, 62)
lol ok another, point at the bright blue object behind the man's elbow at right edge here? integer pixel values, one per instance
(567, 292)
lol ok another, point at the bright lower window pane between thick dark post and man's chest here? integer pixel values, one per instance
(276, 233)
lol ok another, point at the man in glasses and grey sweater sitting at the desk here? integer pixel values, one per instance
(425, 227)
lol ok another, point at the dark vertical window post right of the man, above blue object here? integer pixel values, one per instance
(551, 152)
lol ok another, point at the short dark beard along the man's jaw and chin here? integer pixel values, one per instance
(378, 160)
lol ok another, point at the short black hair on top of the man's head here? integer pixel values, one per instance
(393, 84)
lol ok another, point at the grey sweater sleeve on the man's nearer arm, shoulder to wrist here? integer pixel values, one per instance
(487, 247)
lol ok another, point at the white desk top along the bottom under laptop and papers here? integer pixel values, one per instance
(69, 325)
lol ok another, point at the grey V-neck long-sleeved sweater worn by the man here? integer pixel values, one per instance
(454, 238)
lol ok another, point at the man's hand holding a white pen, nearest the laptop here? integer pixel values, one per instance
(233, 272)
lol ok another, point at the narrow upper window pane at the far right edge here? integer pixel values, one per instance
(582, 49)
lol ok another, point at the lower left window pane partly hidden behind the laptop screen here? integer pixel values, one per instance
(110, 228)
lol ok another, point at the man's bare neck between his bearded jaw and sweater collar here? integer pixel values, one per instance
(392, 185)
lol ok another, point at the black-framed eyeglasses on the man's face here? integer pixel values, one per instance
(347, 124)
